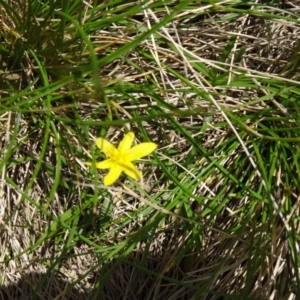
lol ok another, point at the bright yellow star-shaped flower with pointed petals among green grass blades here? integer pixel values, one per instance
(120, 160)
